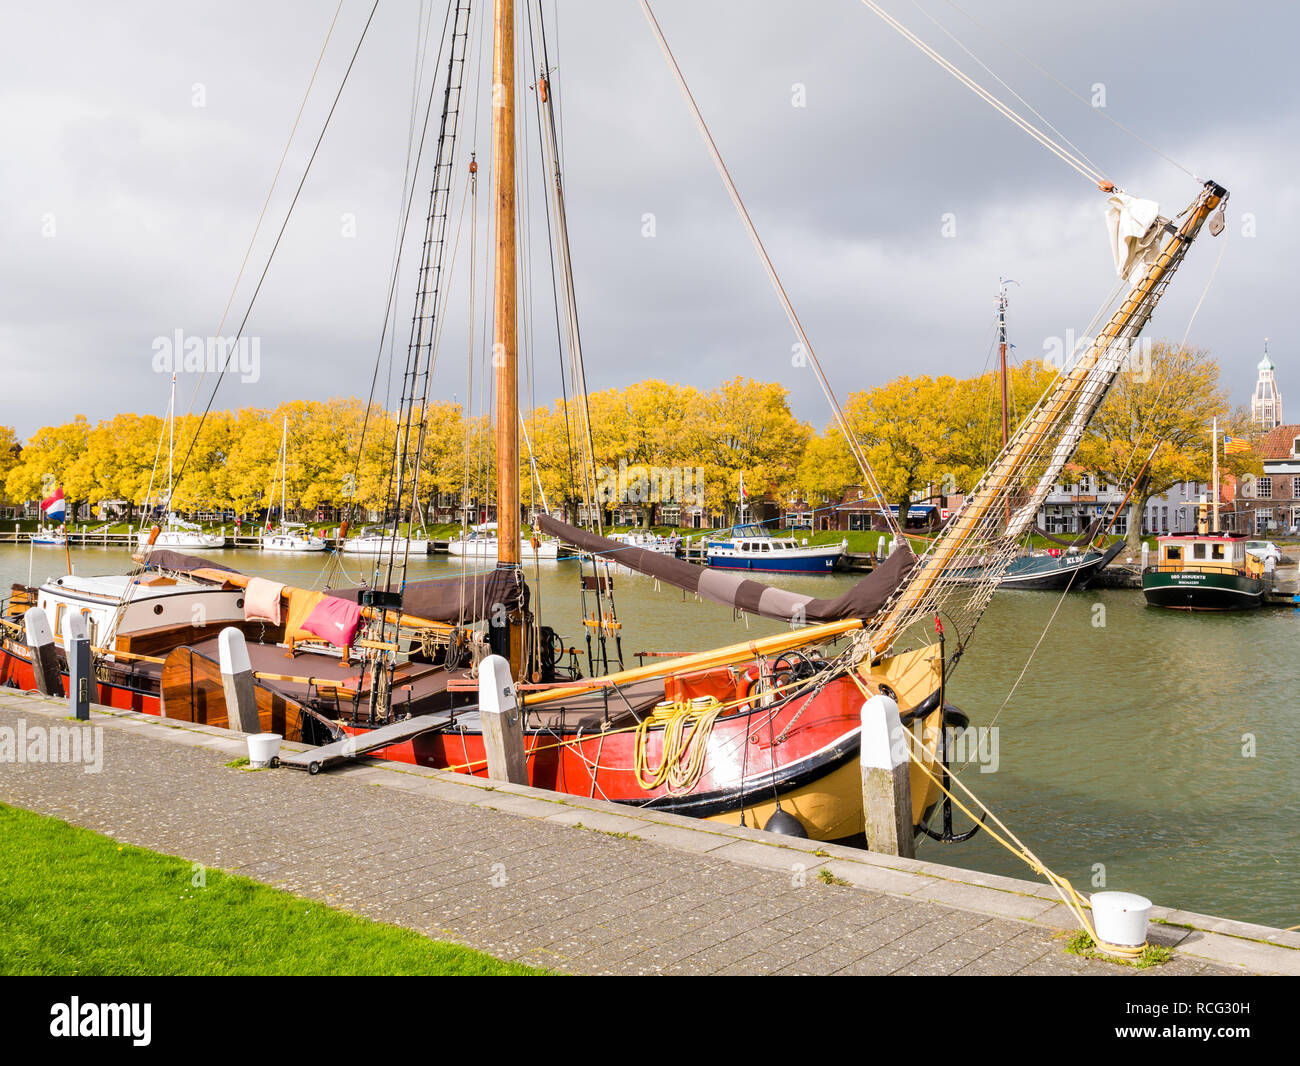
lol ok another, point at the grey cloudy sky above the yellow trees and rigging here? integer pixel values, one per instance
(141, 141)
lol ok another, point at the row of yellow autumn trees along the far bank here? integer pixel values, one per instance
(922, 436)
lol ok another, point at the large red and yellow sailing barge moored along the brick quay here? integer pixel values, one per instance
(764, 731)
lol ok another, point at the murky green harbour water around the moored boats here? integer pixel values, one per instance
(1158, 751)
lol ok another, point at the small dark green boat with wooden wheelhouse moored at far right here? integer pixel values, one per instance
(1204, 573)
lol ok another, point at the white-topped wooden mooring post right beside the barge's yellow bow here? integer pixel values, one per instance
(886, 779)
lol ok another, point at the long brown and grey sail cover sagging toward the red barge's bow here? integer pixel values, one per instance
(743, 593)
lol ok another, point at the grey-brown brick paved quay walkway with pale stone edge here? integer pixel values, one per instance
(541, 879)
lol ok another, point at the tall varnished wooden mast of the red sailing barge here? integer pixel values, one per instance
(505, 328)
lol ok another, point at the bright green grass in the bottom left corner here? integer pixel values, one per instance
(75, 903)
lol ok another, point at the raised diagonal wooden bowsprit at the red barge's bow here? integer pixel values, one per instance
(1012, 463)
